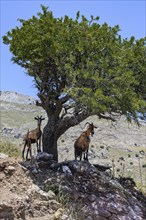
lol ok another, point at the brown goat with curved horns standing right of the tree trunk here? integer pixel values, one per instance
(82, 143)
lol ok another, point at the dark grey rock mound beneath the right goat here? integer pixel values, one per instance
(96, 195)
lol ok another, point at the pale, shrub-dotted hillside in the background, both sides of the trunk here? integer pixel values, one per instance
(120, 144)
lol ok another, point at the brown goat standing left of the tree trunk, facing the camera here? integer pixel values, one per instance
(32, 137)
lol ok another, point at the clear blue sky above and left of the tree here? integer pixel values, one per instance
(129, 15)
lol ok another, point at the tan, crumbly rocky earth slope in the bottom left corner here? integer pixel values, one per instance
(20, 197)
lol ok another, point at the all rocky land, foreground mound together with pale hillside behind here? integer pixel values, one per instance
(107, 188)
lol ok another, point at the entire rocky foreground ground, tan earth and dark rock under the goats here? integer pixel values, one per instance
(69, 190)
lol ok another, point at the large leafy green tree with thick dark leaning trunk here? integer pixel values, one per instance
(80, 68)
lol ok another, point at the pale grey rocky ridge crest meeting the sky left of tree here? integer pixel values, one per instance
(14, 97)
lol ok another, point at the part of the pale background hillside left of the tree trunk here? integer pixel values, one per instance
(17, 115)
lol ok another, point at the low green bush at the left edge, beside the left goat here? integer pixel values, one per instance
(9, 149)
